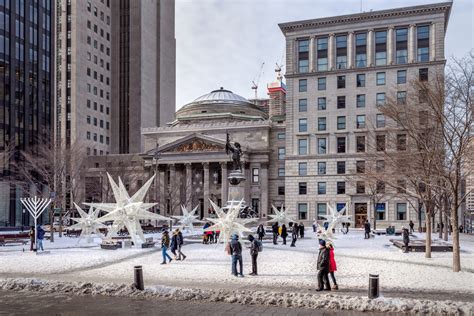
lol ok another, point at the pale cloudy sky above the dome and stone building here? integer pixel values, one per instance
(223, 43)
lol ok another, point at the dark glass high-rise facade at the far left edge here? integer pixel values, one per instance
(26, 91)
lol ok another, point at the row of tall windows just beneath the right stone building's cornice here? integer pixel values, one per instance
(360, 59)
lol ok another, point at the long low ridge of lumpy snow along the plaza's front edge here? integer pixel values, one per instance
(288, 299)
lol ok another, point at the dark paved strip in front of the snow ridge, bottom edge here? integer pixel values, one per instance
(15, 303)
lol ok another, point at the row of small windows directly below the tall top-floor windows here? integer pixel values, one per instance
(380, 79)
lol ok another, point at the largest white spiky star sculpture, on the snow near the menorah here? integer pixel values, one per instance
(128, 211)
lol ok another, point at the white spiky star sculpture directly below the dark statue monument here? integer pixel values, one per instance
(228, 223)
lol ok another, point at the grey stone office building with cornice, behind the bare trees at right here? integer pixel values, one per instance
(337, 70)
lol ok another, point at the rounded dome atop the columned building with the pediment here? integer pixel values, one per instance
(220, 104)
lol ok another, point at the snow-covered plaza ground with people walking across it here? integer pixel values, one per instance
(287, 276)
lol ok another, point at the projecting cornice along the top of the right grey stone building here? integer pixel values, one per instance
(444, 7)
